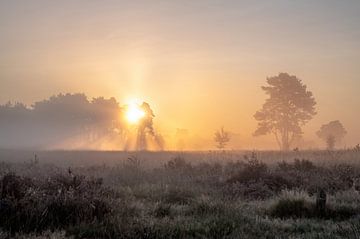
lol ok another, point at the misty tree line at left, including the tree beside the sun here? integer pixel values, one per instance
(74, 121)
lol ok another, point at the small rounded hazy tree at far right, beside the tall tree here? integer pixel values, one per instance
(332, 133)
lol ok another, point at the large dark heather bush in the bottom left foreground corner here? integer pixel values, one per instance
(60, 202)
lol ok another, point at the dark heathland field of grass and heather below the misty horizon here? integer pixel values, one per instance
(215, 194)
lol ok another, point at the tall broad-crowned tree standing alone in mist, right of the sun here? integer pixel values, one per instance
(289, 107)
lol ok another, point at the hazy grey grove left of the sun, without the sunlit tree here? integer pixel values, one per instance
(61, 118)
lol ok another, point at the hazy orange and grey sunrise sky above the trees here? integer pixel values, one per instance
(199, 64)
